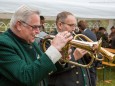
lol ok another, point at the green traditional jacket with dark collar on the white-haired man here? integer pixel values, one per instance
(22, 64)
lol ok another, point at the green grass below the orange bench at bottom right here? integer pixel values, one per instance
(105, 75)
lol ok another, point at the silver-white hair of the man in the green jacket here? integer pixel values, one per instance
(22, 14)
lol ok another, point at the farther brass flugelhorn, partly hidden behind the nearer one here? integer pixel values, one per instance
(100, 50)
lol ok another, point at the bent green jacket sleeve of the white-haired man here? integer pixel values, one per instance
(18, 71)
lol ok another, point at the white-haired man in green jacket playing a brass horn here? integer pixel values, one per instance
(21, 61)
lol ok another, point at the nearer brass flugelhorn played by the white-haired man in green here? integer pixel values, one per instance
(89, 46)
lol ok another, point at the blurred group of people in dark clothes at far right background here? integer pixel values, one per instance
(108, 40)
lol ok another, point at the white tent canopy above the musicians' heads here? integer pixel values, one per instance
(104, 9)
